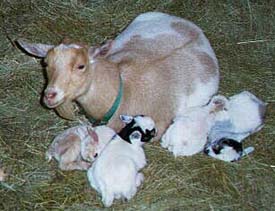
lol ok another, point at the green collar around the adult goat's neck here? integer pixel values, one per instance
(111, 111)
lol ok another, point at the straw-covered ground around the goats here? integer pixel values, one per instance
(242, 35)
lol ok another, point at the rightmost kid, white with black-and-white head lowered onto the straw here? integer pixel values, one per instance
(245, 117)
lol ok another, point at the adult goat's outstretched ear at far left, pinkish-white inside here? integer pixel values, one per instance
(35, 49)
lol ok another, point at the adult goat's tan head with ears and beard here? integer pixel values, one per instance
(68, 68)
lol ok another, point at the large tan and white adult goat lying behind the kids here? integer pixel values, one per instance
(165, 62)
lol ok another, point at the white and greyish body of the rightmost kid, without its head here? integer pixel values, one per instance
(245, 117)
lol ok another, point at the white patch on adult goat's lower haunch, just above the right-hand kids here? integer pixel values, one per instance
(201, 95)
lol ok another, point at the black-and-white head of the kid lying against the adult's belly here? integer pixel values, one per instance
(137, 128)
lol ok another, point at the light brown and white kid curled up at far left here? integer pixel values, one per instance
(77, 147)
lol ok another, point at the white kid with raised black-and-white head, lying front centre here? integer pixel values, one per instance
(115, 172)
